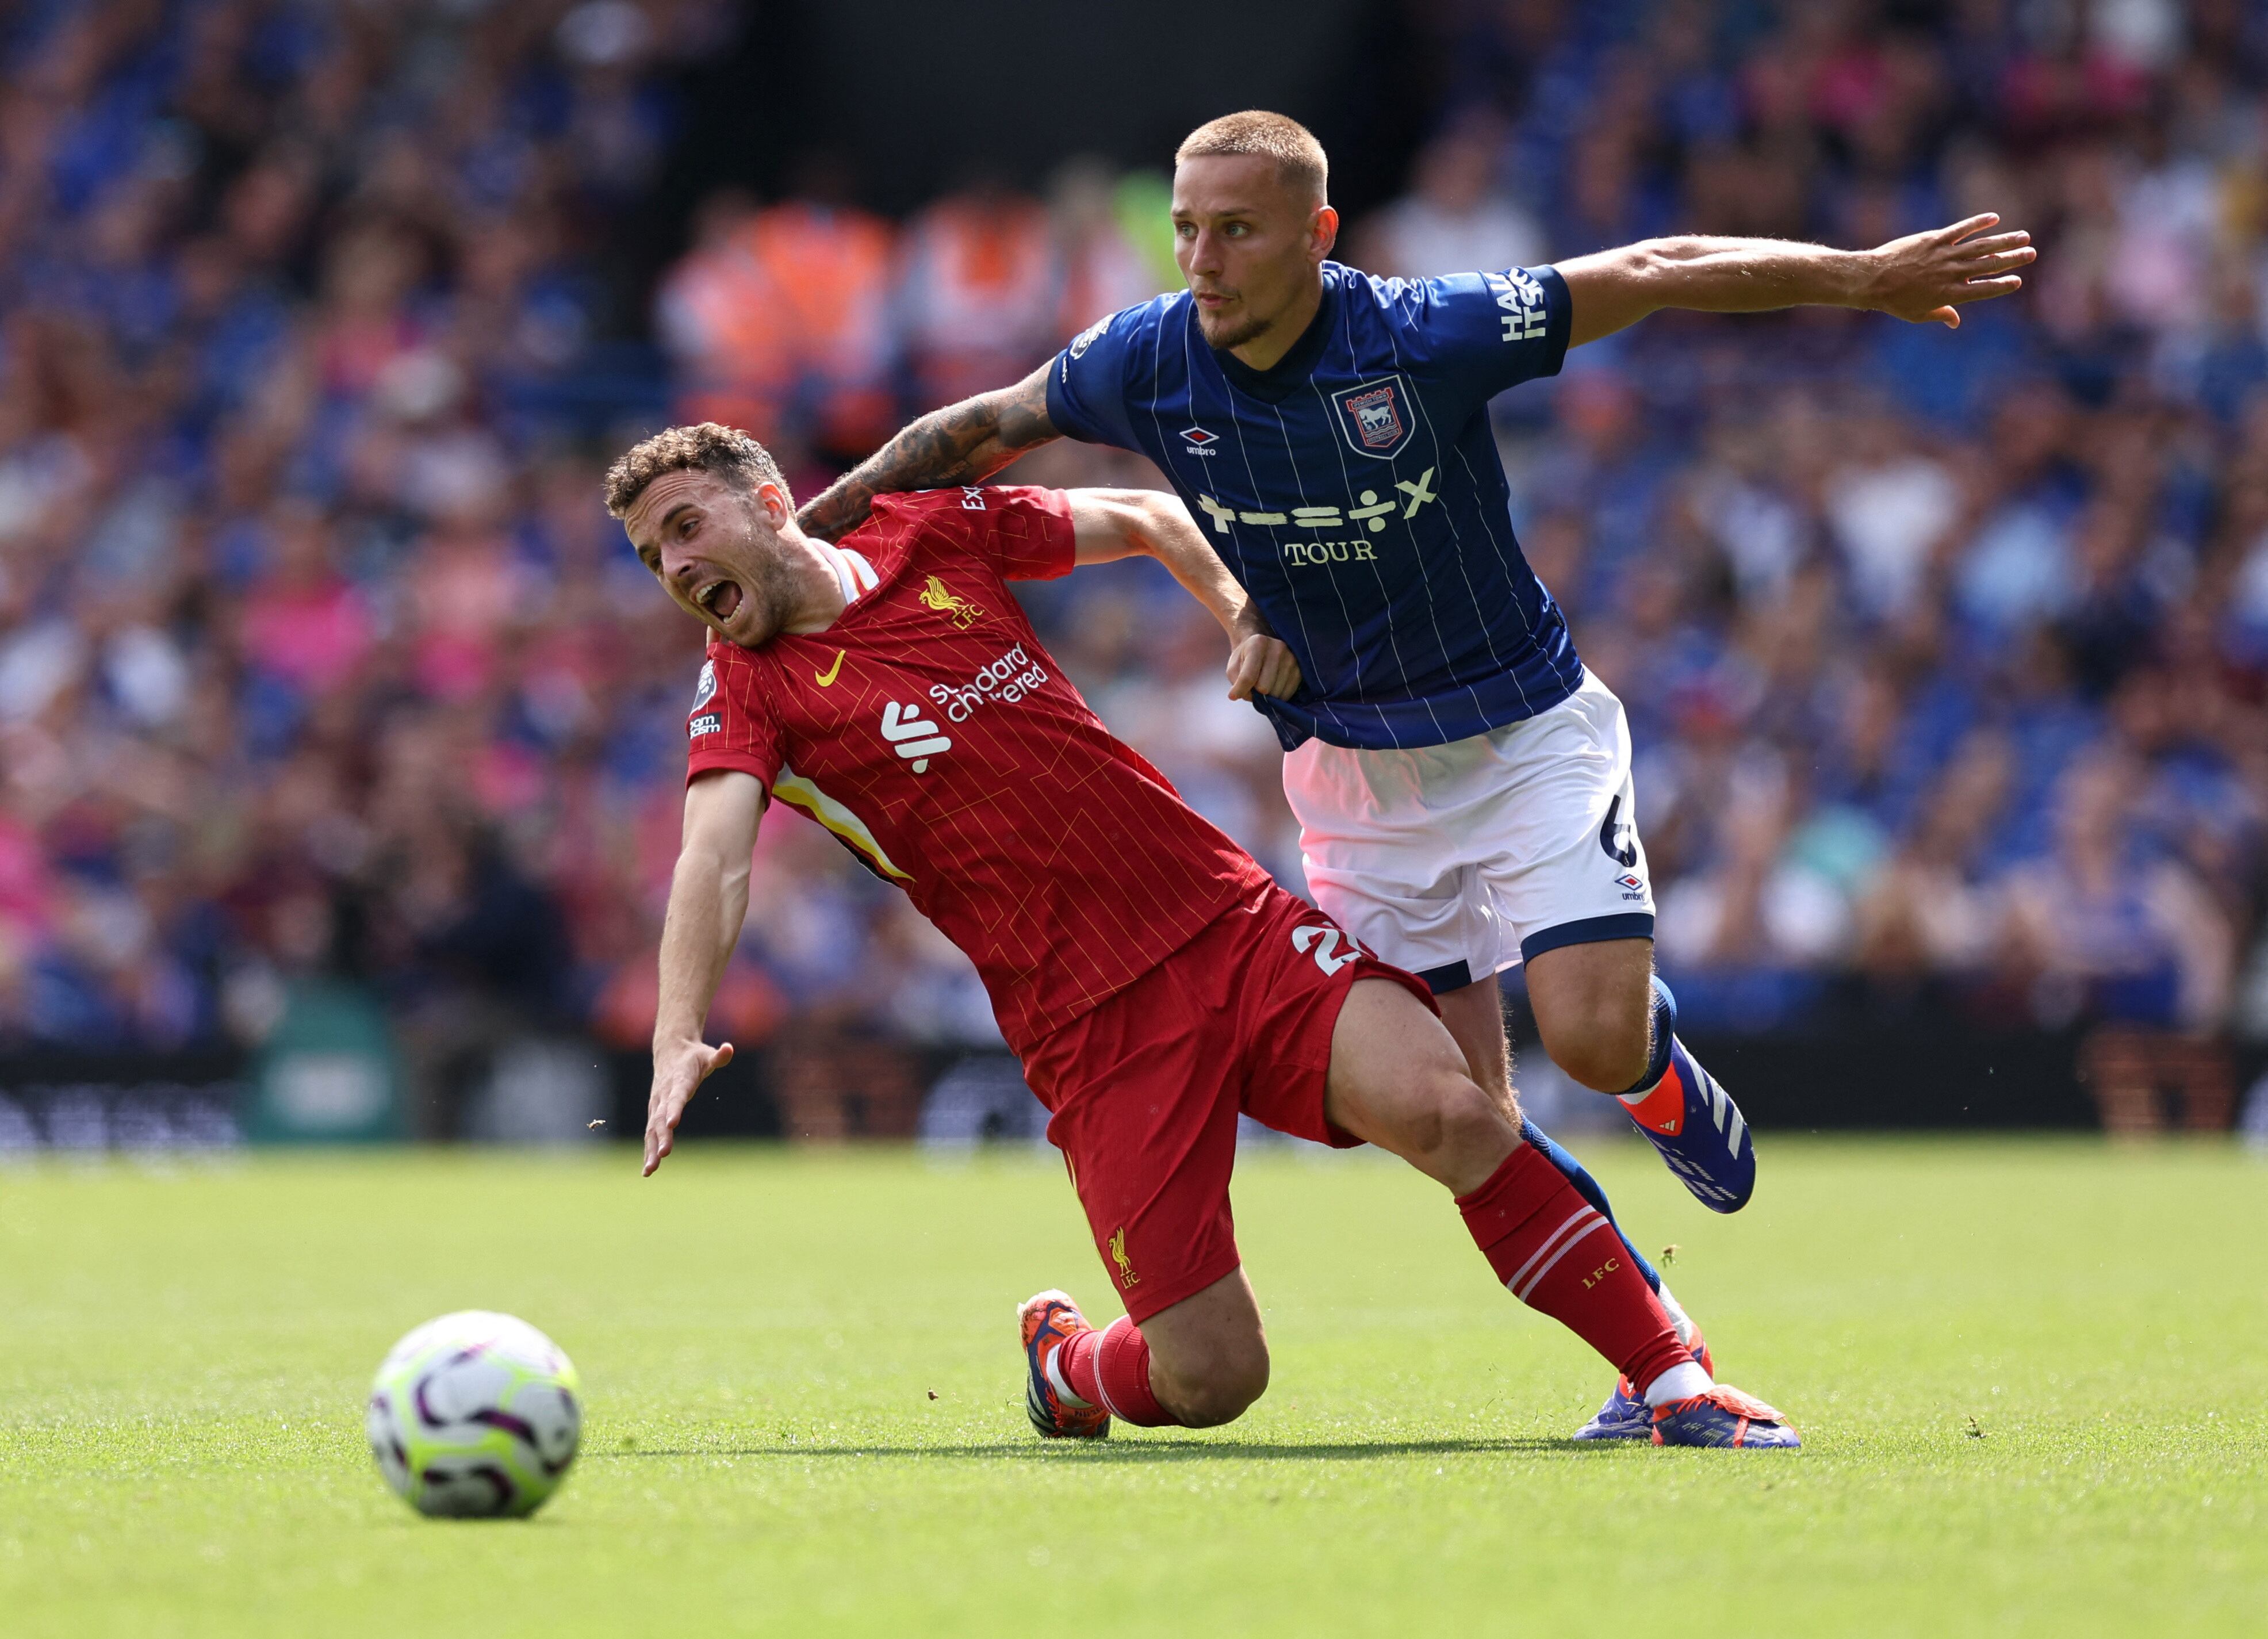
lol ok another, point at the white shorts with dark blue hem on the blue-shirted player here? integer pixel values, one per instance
(1471, 858)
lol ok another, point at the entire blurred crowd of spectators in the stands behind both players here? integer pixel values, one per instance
(1945, 652)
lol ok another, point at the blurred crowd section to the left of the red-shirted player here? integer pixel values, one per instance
(316, 652)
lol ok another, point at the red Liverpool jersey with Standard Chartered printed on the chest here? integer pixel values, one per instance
(945, 747)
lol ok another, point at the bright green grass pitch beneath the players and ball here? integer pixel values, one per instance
(2031, 1377)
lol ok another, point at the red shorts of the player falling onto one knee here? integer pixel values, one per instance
(1146, 1089)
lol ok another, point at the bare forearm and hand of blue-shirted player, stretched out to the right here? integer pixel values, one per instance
(1922, 278)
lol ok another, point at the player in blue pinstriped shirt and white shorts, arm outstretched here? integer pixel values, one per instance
(1462, 781)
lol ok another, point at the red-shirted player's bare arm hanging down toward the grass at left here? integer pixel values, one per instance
(709, 897)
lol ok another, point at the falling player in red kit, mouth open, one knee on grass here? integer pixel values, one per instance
(1149, 974)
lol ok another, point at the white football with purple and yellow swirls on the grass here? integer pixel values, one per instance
(475, 1418)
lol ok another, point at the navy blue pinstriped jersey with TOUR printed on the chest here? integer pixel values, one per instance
(1355, 491)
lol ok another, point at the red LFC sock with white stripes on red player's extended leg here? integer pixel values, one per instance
(1559, 1255)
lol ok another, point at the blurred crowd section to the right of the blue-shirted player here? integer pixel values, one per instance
(1945, 649)
